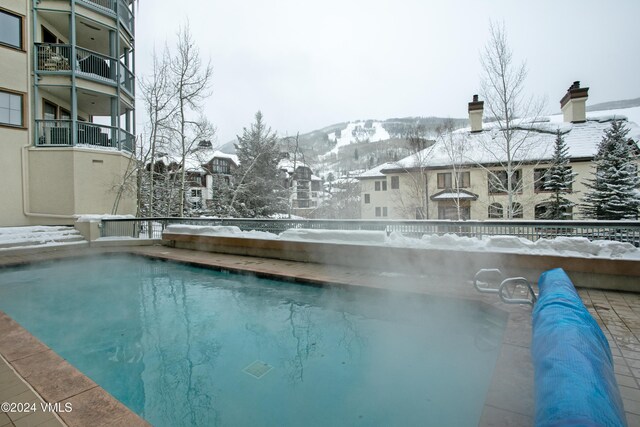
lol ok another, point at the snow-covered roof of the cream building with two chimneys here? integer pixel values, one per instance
(487, 147)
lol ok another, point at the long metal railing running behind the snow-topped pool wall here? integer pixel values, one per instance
(621, 231)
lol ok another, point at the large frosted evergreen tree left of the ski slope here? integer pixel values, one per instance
(258, 191)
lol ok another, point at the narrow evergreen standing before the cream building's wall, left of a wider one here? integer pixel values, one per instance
(559, 179)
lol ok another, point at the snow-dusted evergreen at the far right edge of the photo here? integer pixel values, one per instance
(614, 191)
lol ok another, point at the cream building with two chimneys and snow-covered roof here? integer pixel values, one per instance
(464, 176)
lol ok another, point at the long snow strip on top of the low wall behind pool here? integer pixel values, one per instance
(559, 246)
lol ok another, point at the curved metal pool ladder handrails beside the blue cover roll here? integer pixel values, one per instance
(506, 290)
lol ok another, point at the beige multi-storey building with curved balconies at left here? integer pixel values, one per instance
(67, 122)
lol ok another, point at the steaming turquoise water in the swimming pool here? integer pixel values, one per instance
(186, 346)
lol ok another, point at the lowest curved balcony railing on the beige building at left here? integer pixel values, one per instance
(58, 133)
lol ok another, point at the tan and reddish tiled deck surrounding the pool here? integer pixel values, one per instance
(29, 371)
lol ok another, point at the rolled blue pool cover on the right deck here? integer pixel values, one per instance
(574, 380)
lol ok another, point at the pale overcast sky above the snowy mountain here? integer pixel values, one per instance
(307, 65)
